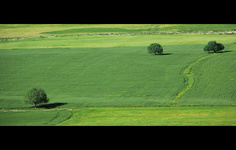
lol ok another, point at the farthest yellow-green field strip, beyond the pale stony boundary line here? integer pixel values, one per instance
(30, 30)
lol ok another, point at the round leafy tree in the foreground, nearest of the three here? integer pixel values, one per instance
(35, 96)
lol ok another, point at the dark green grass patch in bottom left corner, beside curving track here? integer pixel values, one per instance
(33, 117)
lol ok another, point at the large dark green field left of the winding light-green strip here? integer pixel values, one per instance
(92, 77)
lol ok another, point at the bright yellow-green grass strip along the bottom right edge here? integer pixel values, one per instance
(153, 116)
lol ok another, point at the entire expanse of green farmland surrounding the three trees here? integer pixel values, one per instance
(106, 72)
